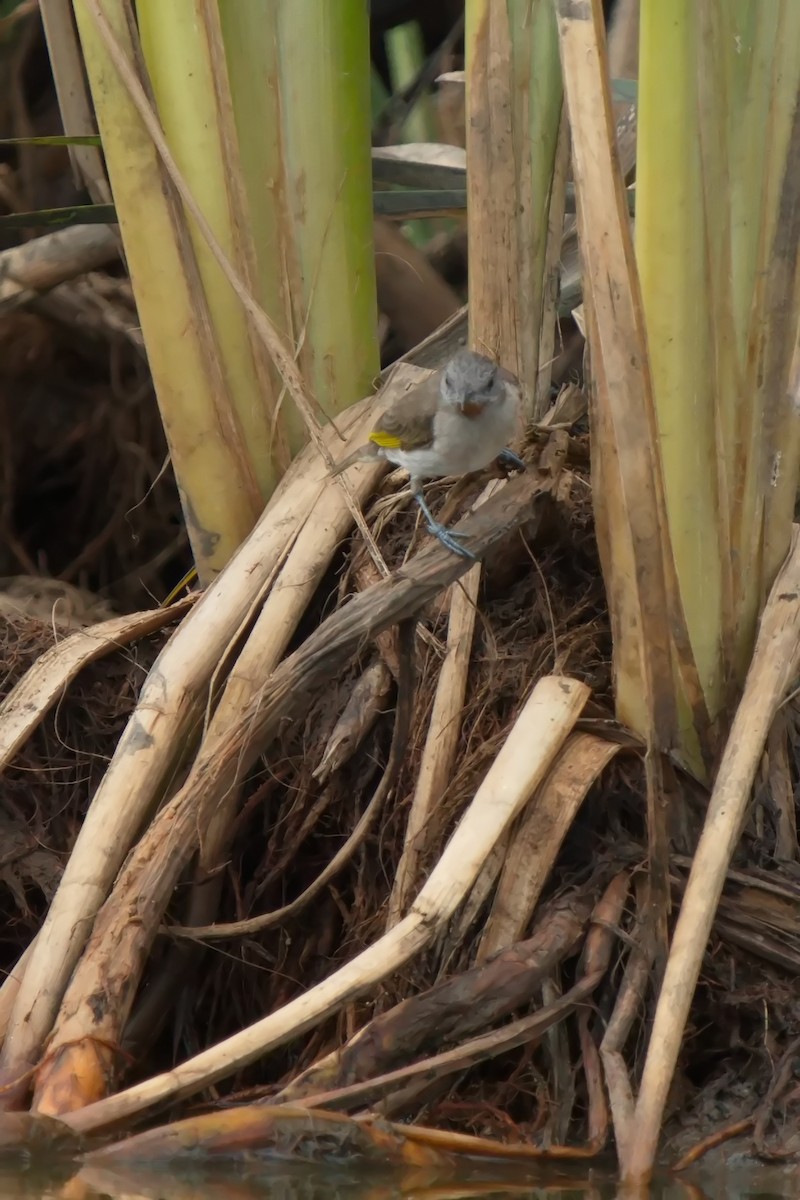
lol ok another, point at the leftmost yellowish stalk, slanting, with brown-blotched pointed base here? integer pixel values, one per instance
(207, 441)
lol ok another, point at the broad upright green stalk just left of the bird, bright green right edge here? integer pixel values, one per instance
(300, 87)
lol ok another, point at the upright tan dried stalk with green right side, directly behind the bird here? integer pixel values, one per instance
(514, 105)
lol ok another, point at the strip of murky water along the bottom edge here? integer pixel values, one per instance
(257, 1181)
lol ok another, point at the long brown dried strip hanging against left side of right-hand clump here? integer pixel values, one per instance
(651, 641)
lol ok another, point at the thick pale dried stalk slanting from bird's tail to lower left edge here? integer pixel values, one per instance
(170, 705)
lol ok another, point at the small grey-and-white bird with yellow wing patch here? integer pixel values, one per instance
(455, 423)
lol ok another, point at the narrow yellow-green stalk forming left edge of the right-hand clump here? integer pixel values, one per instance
(671, 256)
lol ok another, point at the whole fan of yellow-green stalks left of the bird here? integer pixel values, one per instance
(275, 151)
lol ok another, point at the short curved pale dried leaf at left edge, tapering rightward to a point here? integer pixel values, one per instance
(45, 683)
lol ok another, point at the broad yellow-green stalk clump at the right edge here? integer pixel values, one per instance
(718, 93)
